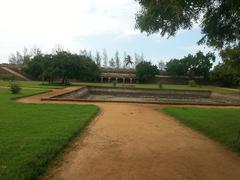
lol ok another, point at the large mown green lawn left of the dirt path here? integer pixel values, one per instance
(33, 134)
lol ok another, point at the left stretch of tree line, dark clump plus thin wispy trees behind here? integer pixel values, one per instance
(62, 65)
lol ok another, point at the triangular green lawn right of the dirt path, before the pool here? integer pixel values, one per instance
(222, 125)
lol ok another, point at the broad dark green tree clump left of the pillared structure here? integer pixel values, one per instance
(62, 65)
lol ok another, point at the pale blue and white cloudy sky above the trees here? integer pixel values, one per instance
(87, 24)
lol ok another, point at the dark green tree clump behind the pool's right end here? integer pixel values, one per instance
(191, 65)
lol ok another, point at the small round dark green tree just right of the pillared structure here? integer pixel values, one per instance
(145, 71)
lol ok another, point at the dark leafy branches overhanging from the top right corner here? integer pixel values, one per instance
(219, 19)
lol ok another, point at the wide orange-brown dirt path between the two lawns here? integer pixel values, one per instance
(137, 142)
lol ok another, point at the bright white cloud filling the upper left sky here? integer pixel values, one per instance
(48, 22)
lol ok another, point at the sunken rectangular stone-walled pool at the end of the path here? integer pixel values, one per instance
(152, 96)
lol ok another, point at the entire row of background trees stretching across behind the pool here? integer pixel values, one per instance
(64, 65)
